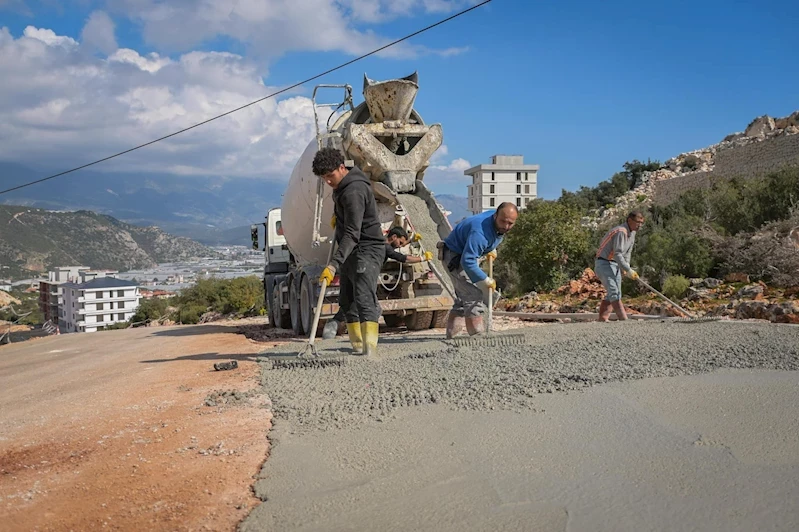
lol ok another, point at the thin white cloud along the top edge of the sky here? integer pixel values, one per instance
(270, 28)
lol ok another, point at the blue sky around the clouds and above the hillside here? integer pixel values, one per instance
(577, 87)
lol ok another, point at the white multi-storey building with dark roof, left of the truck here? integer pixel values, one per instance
(95, 304)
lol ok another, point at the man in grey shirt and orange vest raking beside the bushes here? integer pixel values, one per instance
(613, 258)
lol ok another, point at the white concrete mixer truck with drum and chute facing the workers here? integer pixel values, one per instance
(388, 140)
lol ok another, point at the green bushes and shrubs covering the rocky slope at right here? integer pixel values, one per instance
(737, 226)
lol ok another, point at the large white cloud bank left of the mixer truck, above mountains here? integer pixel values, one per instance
(68, 108)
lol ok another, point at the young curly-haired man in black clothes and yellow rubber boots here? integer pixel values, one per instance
(361, 247)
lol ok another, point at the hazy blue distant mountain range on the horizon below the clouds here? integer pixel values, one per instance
(210, 210)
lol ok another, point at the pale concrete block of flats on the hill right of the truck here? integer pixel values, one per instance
(507, 178)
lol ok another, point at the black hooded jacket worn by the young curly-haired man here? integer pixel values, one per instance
(357, 224)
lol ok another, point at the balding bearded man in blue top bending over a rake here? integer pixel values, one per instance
(475, 237)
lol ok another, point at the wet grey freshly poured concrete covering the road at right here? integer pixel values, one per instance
(712, 451)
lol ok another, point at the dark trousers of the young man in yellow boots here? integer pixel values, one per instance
(358, 291)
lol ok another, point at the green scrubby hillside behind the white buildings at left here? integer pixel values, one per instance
(34, 240)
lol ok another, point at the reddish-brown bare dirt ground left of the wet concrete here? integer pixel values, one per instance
(131, 429)
